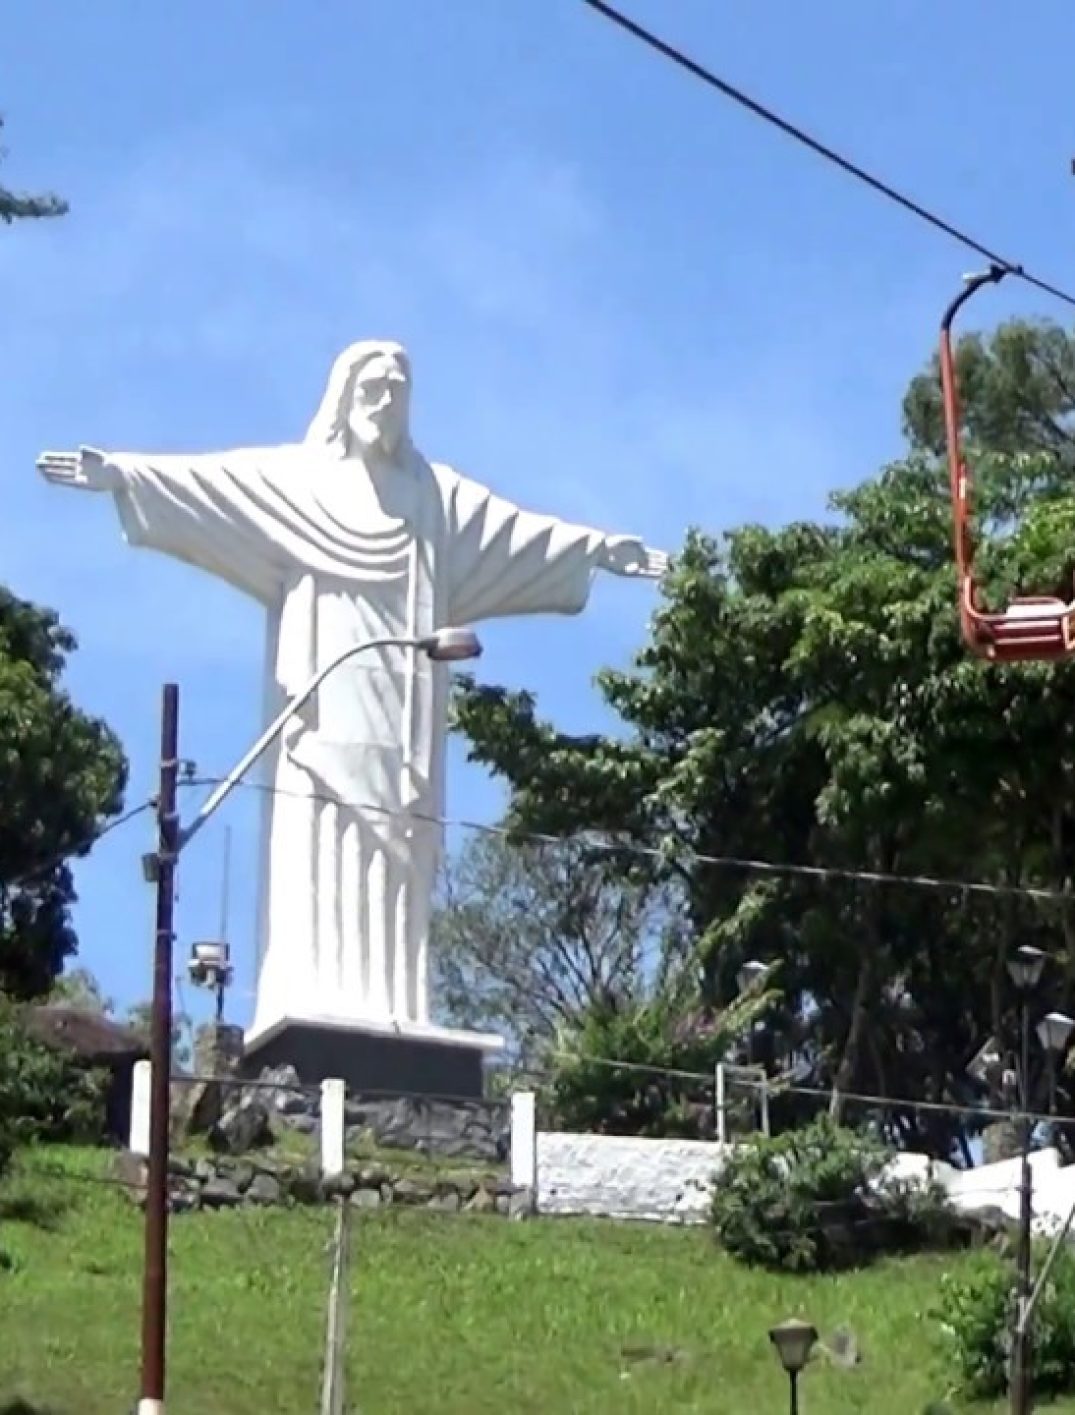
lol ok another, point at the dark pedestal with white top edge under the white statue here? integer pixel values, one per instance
(435, 1065)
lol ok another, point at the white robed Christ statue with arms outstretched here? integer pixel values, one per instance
(347, 537)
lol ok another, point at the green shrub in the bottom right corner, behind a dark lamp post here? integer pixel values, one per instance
(975, 1312)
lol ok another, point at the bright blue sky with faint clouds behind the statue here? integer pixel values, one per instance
(627, 302)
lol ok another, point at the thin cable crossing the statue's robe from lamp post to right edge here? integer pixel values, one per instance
(731, 862)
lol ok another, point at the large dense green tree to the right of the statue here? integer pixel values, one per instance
(806, 698)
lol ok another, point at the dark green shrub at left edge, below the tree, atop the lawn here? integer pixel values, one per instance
(45, 1095)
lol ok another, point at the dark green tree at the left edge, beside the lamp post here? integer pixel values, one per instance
(62, 778)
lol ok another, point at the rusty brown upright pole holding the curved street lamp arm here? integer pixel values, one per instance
(155, 1286)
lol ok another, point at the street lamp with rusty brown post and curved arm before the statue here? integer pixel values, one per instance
(443, 646)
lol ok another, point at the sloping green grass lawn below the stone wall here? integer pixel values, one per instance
(452, 1315)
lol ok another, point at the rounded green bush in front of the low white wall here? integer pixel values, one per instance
(817, 1198)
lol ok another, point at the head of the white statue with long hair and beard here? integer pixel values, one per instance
(367, 403)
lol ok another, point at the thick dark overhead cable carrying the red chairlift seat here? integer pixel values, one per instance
(815, 145)
